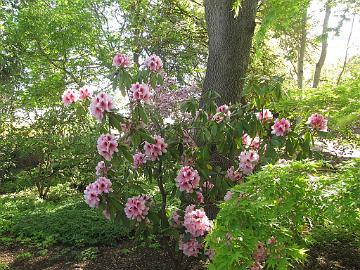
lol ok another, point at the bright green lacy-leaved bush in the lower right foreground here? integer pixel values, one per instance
(288, 202)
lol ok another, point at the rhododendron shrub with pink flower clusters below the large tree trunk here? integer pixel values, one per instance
(195, 157)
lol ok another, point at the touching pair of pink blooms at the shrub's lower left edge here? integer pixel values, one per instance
(95, 189)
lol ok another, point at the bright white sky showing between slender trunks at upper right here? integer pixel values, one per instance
(337, 44)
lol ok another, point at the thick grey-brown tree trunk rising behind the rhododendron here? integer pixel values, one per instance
(230, 39)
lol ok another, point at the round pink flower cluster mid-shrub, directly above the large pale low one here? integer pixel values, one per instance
(188, 179)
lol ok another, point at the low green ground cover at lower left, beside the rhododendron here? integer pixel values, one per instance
(67, 221)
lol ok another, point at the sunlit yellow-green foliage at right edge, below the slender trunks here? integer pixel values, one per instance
(340, 104)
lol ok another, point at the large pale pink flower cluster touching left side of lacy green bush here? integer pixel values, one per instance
(196, 222)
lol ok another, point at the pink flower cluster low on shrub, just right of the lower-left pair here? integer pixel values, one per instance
(137, 208)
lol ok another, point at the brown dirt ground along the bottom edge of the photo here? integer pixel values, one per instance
(125, 257)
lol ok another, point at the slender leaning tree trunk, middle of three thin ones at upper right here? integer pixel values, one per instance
(324, 45)
